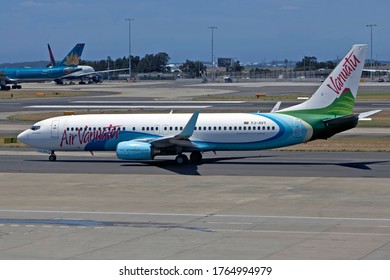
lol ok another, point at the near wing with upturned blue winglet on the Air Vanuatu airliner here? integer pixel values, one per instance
(181, 139)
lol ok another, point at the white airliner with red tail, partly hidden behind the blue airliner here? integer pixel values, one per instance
(83, 73)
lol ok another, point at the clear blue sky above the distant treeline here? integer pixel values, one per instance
(247, 30)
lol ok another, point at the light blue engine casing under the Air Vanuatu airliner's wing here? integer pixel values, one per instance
(130, 150)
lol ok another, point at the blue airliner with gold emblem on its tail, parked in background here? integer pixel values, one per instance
(15, 76)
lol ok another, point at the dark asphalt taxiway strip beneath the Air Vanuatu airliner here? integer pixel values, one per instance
(253, 163)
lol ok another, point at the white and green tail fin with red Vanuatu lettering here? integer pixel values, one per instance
(336, 96)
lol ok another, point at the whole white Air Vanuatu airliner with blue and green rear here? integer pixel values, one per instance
(145, 136)
